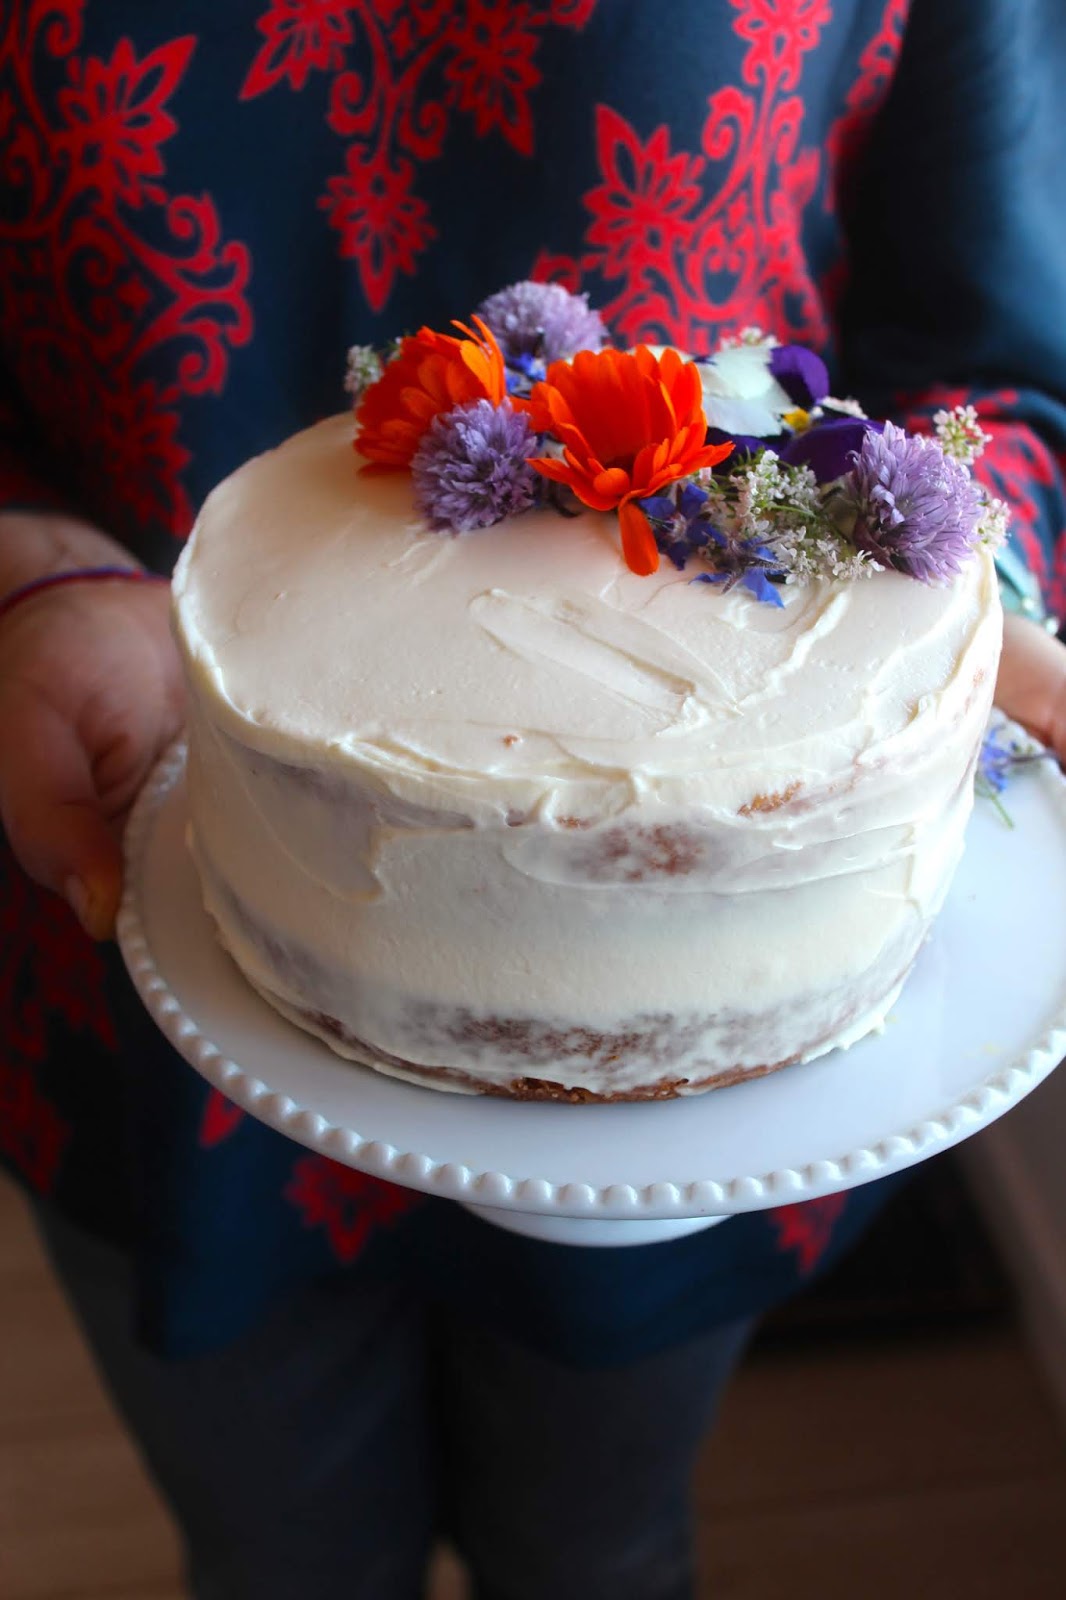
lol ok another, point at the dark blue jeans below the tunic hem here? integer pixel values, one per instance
(323, 1455)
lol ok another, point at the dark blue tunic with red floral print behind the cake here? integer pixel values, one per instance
(202, 207)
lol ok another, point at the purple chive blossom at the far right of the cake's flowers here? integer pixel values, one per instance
(916, 510)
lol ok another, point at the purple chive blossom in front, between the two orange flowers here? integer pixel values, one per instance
(471, 468)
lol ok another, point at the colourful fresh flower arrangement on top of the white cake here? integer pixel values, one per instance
(740, 465)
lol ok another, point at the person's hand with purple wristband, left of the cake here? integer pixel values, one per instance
(90, 694)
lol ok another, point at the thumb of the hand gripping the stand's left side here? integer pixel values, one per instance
(52, 814)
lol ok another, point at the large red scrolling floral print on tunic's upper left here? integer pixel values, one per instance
(138, 273)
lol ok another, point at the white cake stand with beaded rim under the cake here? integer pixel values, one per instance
(980, 1023)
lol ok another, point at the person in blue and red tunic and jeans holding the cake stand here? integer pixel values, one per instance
(329, 1370)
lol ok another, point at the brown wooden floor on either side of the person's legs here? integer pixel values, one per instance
(902, 1473)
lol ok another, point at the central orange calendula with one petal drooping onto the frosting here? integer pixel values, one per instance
(630, 425)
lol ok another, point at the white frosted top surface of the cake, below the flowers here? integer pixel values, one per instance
(332, 620)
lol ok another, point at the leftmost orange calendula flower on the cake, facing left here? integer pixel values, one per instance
(431, 374)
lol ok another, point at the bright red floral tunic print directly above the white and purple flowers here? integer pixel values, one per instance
(702, 246)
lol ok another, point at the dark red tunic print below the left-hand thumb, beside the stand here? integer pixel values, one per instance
(50, 970)
